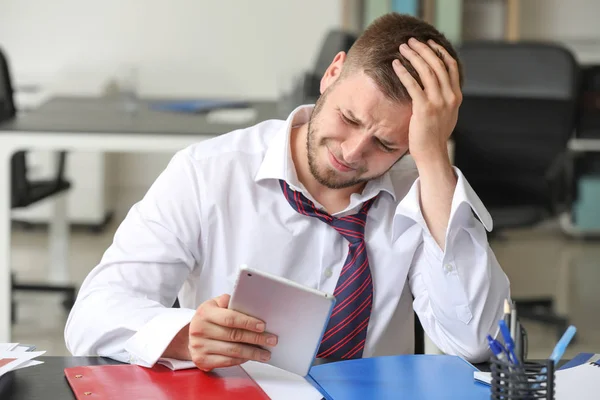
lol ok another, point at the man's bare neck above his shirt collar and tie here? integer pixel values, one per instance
(334, 200)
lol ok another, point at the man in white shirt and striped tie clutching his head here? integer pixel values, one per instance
(326, 198)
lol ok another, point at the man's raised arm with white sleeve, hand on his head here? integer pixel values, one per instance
(458, 286)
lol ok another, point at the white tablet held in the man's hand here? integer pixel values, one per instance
(298, 315)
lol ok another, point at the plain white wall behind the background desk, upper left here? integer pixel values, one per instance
(230, 48)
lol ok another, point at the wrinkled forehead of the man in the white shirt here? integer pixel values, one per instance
(360, 95)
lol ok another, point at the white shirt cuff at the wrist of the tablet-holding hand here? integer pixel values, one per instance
(151, 341)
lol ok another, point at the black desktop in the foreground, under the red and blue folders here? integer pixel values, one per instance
(47, 381)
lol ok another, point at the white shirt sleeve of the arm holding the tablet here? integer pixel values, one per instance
(130, 293)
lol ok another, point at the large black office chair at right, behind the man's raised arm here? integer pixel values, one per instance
(519, 110)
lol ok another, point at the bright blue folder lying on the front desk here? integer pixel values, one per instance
(415, 377)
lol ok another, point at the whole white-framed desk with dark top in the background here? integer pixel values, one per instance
(95, 124)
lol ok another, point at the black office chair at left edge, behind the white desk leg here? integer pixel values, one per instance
(26, 192)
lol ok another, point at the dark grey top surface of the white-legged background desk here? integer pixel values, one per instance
(108, 116)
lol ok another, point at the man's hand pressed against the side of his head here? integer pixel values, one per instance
(434, 107)
